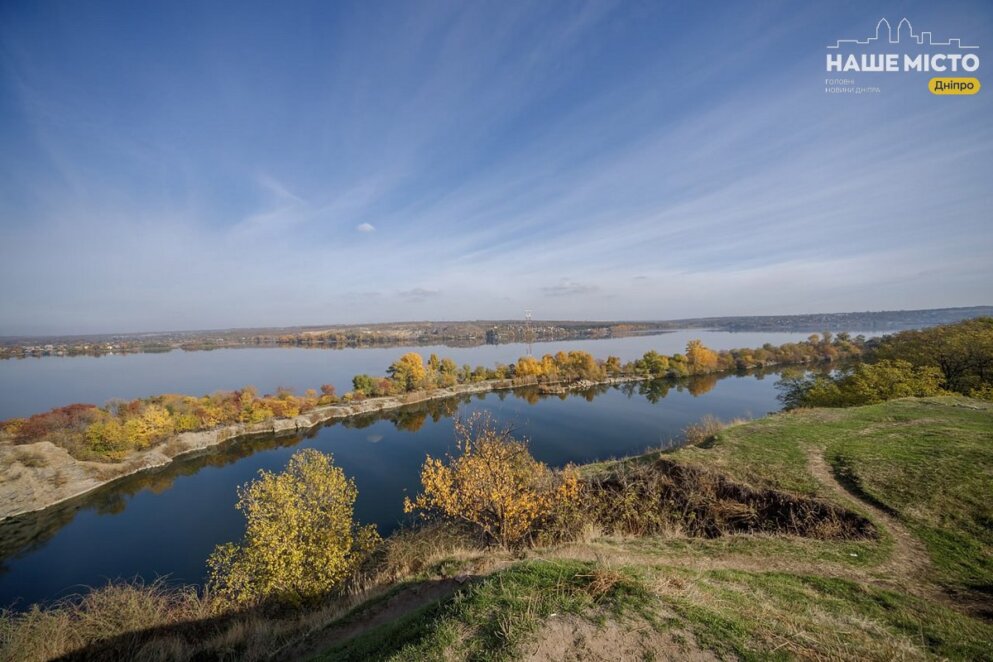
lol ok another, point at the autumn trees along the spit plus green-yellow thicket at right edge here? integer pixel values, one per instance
(951, 358)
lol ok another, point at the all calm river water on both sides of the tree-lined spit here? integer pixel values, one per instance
(168, 522)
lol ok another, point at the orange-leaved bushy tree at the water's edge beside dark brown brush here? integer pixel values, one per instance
(493, 483)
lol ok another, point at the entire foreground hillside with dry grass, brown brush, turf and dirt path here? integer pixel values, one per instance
(709, 558)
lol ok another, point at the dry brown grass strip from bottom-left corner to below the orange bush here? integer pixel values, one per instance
(160, 622)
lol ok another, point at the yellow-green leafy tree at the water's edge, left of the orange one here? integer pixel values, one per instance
(300, 538)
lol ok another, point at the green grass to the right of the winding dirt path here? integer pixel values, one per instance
(931, 462)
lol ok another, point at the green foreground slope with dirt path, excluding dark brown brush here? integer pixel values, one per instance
(920, 469)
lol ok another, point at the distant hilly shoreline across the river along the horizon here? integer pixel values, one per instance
(469, 333)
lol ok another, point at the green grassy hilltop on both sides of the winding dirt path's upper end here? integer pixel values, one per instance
(929, 461)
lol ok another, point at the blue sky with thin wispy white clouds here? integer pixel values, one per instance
(181, 165)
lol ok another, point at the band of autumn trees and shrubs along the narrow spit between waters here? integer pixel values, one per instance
(110, 433)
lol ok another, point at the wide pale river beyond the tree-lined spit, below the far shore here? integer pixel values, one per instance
(28, 386)
